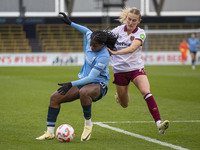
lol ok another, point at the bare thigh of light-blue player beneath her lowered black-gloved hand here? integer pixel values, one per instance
(71, 95)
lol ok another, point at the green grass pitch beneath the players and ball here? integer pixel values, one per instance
(24, 99)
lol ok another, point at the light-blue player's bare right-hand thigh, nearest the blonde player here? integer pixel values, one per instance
(91, 90)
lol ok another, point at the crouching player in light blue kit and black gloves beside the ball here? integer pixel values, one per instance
(91, 87)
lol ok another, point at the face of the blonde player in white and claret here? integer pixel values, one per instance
(132, 21)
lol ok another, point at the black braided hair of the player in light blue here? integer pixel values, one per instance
(104, 37)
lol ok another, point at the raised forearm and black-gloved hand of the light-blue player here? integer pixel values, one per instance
(80, 28)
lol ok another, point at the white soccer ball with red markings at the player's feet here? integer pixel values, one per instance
(65, 133)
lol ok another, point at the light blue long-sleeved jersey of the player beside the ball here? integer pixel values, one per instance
(98, 61)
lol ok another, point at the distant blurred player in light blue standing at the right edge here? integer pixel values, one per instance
(193, 44)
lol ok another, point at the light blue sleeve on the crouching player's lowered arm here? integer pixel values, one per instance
(90, 78)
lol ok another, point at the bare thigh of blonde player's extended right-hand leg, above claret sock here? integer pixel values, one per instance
(142, 83)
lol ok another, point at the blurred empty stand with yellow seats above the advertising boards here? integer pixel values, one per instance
(29, 26)
